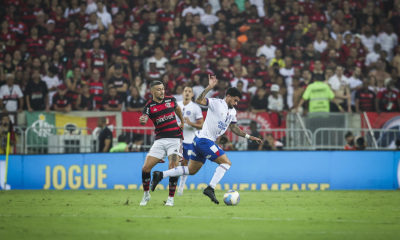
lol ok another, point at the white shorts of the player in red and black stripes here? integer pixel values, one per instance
(166, 146)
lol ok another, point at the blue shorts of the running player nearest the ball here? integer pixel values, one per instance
(205, 149)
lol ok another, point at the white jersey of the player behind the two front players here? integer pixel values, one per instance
(193, 112)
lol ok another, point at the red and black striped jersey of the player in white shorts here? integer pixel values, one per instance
(163, 116)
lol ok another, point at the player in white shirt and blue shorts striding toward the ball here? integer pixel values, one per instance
(221, 114)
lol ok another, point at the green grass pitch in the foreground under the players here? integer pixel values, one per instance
(115, 214)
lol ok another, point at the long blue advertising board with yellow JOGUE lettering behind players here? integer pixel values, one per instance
(292, 170)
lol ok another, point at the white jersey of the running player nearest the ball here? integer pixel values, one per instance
(218, 118)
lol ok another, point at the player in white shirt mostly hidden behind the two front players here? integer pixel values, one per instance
(193, 118)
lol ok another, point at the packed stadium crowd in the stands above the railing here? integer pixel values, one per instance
(101, 55)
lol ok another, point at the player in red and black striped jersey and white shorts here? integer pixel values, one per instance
(161, 110)
